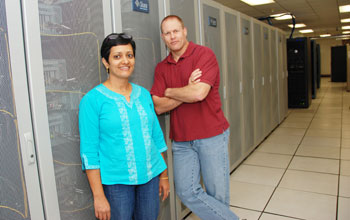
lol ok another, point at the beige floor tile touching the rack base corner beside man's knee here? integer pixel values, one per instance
(257, 175)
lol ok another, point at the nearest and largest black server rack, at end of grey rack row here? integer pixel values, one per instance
(299, 72)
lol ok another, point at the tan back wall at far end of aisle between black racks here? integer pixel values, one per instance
(325, 46)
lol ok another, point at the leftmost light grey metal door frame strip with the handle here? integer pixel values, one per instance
(21, 101)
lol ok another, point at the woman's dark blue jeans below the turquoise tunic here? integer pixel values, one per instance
(137, 202)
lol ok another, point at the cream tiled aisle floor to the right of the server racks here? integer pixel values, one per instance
(302, 170)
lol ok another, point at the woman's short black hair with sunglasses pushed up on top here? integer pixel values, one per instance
(115, 39)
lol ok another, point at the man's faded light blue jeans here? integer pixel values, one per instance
(209, 157)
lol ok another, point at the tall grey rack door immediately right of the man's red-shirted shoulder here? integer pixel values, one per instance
(233, 79)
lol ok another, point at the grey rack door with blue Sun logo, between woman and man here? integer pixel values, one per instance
(143, 25)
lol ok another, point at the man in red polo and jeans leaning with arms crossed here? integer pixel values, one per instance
(187, 84)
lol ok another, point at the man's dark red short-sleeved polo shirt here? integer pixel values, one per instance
(192, 121)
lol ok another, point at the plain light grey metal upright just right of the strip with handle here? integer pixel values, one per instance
(38, 108)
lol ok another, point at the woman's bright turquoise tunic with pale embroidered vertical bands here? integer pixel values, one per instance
(122, 139)
